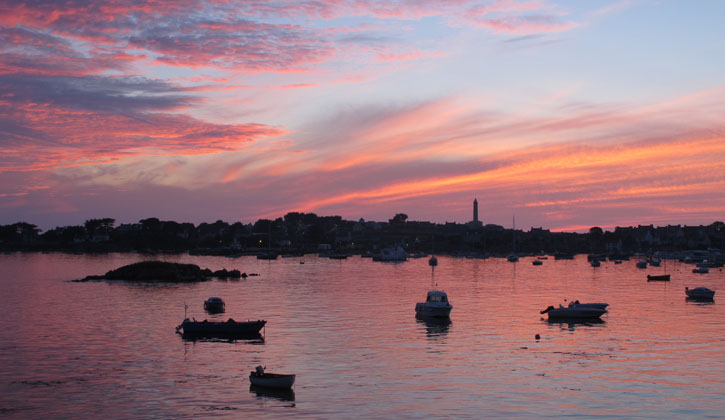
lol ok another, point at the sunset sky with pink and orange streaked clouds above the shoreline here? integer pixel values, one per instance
(566, 114)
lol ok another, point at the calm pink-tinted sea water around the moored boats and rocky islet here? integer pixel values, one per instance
(347, 329)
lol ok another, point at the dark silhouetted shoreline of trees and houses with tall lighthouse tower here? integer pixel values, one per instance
(301, 233)
